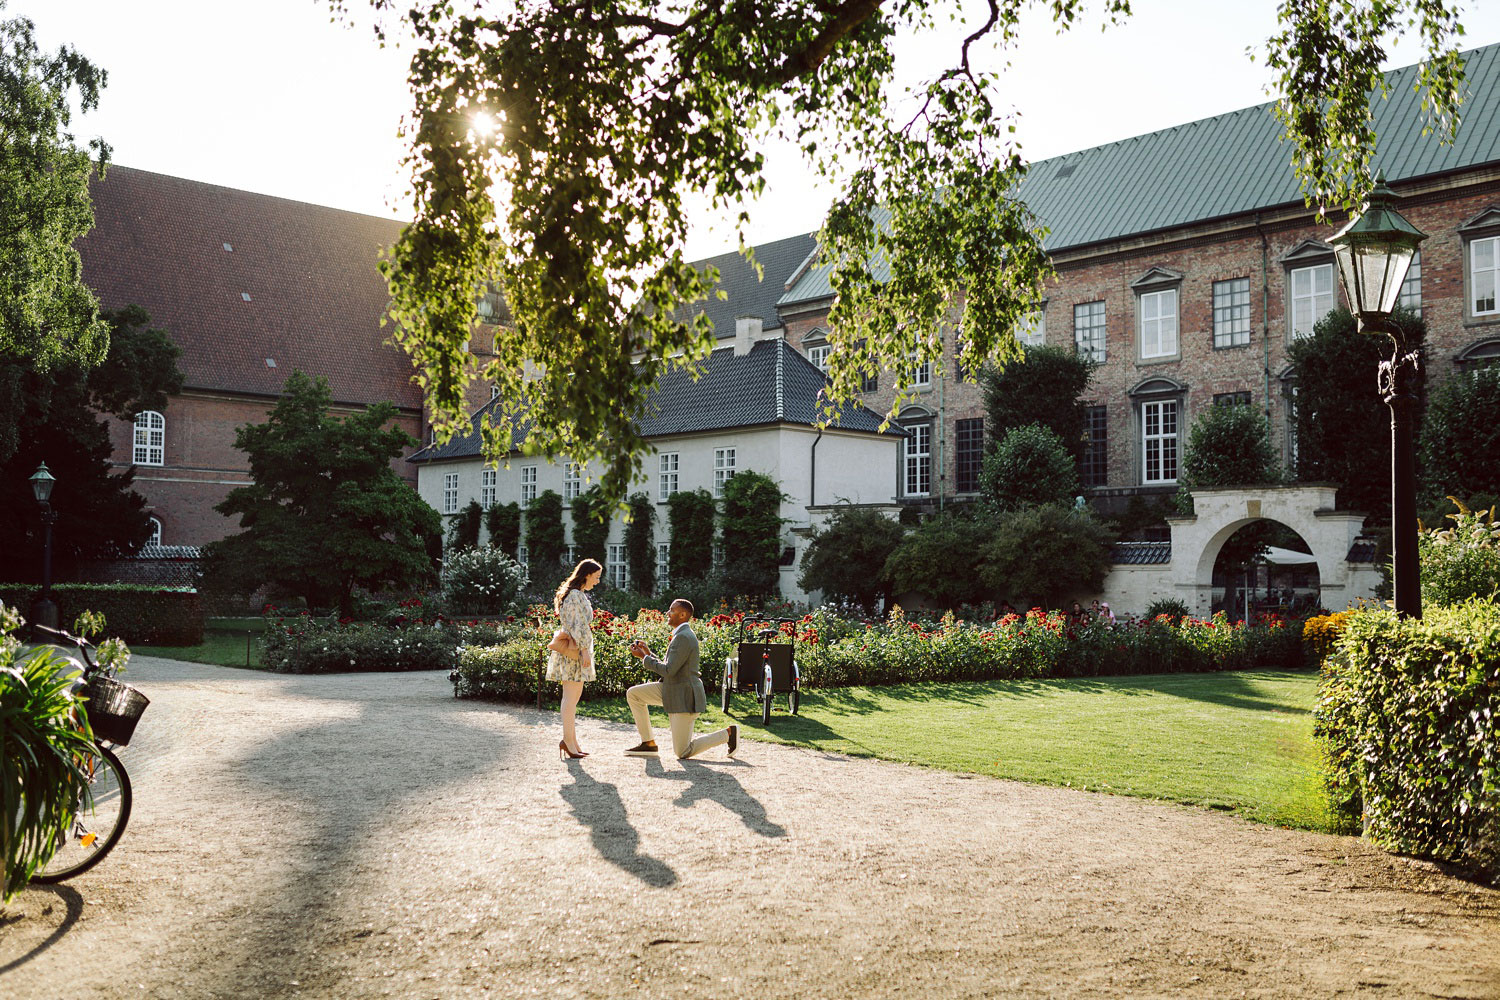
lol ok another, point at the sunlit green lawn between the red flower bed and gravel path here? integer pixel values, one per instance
(1237, 741)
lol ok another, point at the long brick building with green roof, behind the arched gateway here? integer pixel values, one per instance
(1187, 263)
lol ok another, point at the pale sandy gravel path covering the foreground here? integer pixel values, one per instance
(367, 836)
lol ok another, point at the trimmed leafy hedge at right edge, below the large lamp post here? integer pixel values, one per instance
(1411, 720)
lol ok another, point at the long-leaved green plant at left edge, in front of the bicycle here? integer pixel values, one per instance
(41, 747)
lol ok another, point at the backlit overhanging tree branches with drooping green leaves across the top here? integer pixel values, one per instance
(553, 146)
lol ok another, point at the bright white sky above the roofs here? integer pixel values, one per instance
(274, 98)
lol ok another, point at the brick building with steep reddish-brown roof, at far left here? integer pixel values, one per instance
(251, 289)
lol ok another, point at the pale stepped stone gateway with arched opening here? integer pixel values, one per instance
(1346, 572)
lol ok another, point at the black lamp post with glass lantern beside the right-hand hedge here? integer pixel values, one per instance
(1375, 253)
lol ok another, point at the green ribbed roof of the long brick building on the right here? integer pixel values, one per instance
(1228, 166)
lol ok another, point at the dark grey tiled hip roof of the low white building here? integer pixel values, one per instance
(770, 385)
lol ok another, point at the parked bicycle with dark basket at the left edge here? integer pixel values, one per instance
(104, 809)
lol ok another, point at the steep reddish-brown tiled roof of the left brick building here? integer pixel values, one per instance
(316, 296)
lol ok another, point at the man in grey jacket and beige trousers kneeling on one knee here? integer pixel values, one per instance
(680, 692)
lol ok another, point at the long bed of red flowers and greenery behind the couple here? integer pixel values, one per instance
(836, 651)
